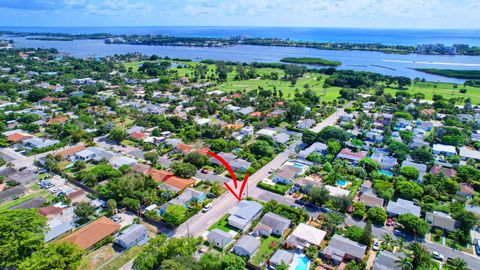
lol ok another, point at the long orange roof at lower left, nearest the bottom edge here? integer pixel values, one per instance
(92, 233)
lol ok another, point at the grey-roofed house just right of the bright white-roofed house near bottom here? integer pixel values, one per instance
(340, 248)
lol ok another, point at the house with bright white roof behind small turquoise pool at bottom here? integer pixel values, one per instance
(305, 235)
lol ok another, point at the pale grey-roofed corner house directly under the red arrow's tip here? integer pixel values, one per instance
(242, 215)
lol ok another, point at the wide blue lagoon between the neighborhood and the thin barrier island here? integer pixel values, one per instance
(388, 64)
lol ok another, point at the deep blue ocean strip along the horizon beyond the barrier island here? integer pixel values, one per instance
(353, 35)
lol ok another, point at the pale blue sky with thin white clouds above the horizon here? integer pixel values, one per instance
(315, 13)
